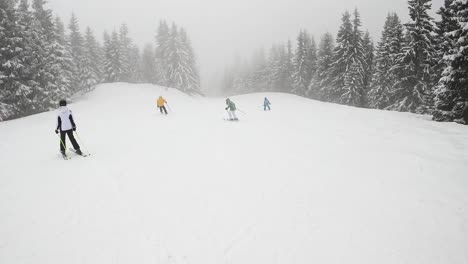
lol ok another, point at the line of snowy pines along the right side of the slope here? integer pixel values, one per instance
(419, 67)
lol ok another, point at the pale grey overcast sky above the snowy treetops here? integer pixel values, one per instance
(221, 28)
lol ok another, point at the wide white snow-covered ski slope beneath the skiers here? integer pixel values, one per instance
(308, 182)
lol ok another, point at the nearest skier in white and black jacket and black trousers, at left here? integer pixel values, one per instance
(66, 125)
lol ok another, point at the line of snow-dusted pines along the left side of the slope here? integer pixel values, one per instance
(42, 61)
